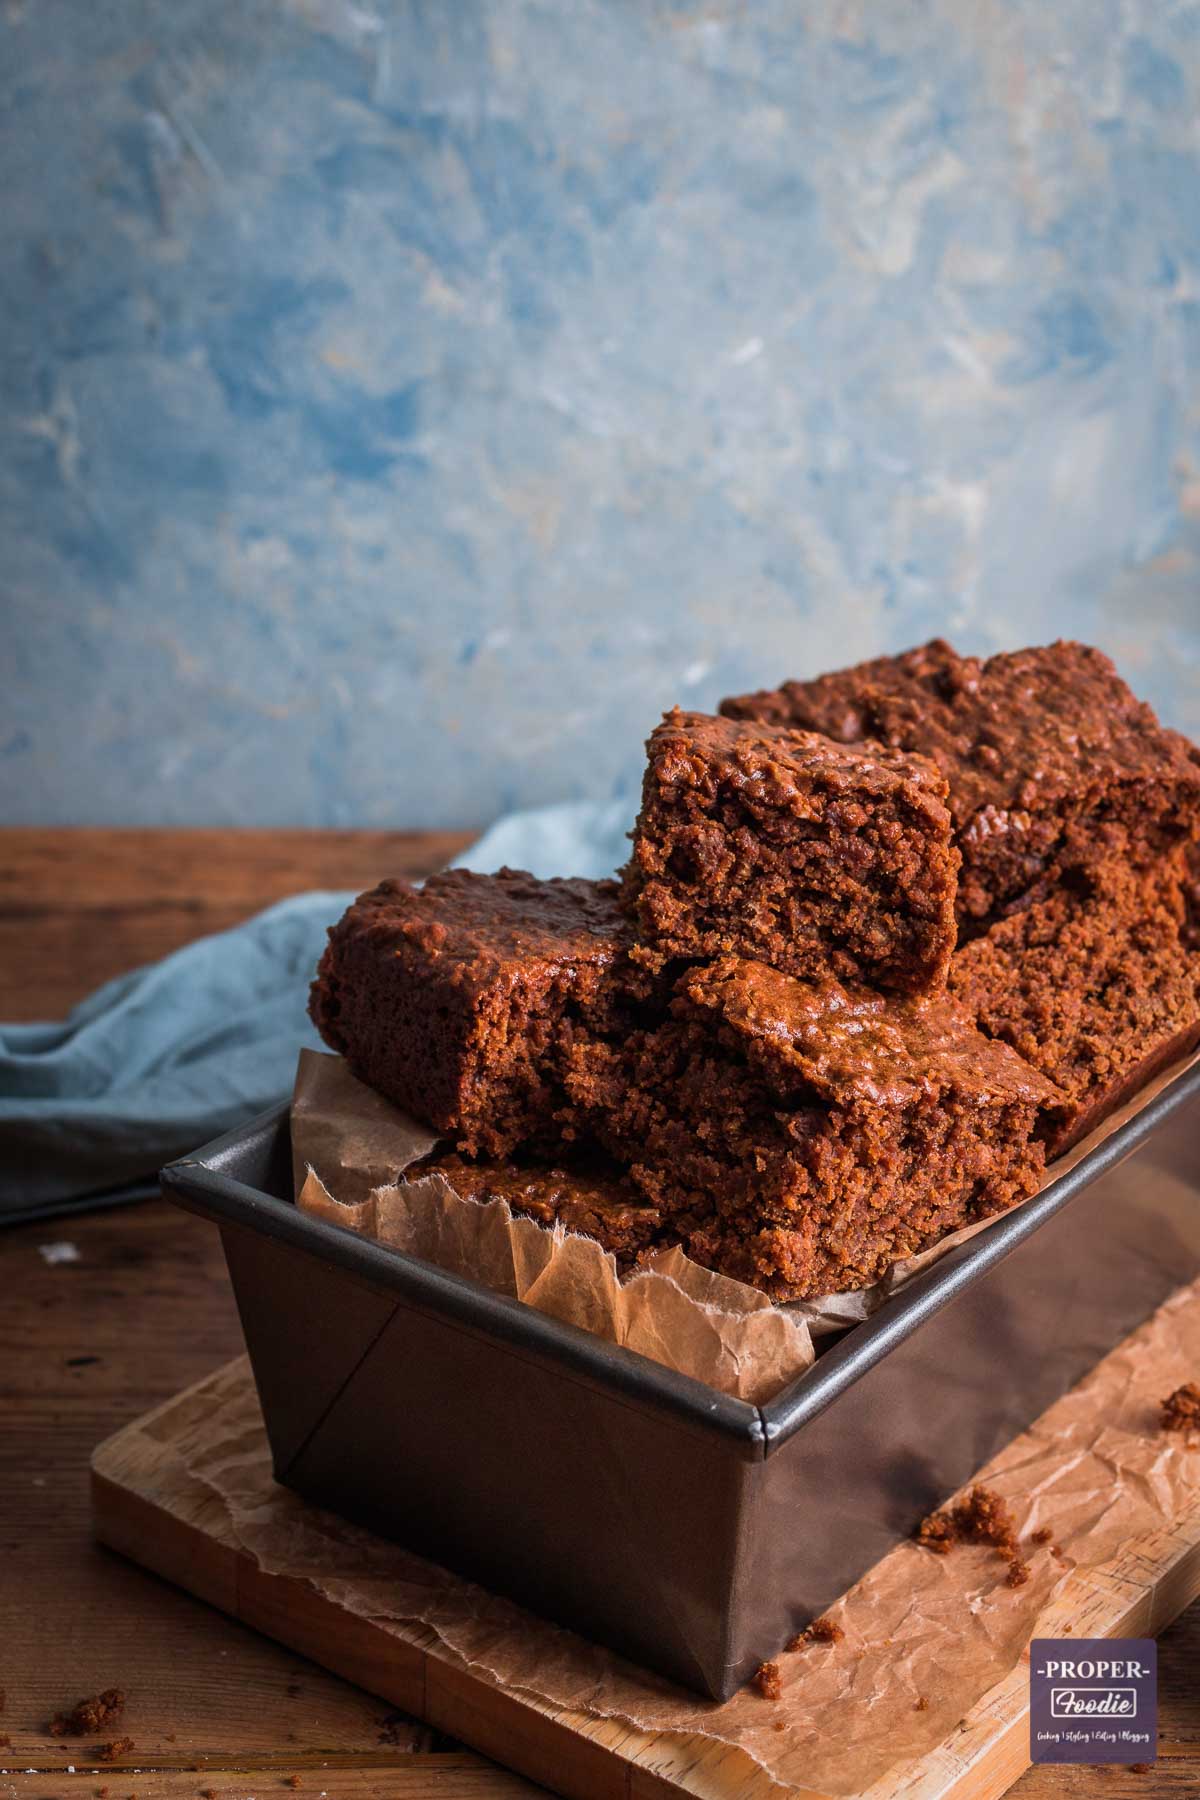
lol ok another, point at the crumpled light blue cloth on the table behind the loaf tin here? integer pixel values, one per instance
(157, 1063)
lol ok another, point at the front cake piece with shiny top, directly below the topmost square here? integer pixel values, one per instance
(805, 1135)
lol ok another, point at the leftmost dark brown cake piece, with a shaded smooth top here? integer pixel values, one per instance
(454, 998)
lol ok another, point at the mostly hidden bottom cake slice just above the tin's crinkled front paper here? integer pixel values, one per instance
(584, 1198)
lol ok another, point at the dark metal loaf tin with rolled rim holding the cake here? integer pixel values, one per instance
(685, 1529)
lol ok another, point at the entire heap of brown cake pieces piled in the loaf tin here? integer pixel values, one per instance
(764, 1043)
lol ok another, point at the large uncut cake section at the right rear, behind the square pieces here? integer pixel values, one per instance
(1077, 818)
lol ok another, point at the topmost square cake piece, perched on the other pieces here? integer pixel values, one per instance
(787, 847)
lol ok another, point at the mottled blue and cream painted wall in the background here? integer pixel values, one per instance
(402, 404)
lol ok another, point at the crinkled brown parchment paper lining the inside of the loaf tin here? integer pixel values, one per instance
(350, 1146)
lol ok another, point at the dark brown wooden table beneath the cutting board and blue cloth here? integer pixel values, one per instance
(147, 1309)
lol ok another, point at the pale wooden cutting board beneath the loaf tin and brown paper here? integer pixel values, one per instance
(156, 1511)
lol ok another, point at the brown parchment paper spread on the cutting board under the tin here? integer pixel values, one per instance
(1095, 1470)
